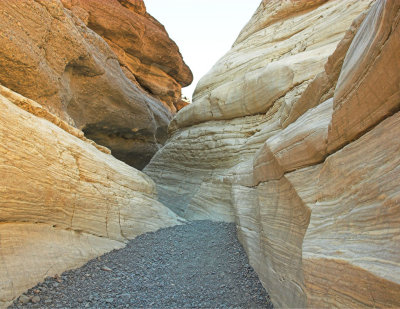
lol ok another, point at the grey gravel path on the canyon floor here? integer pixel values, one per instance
(200, 264)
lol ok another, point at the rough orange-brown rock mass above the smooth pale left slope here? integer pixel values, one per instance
(105, 67)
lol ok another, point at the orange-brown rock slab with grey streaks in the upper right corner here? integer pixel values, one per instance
(368, 87)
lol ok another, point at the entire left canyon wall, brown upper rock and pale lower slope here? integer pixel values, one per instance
(107, 68)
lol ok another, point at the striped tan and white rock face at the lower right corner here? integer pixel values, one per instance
(354, 226)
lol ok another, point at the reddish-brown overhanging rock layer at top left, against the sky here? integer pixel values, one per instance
(145, 52)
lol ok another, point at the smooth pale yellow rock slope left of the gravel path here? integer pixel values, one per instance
(64, 199)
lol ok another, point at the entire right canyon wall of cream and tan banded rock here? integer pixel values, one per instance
(292, 135)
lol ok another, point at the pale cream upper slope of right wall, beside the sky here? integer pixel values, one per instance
(287, 51)
